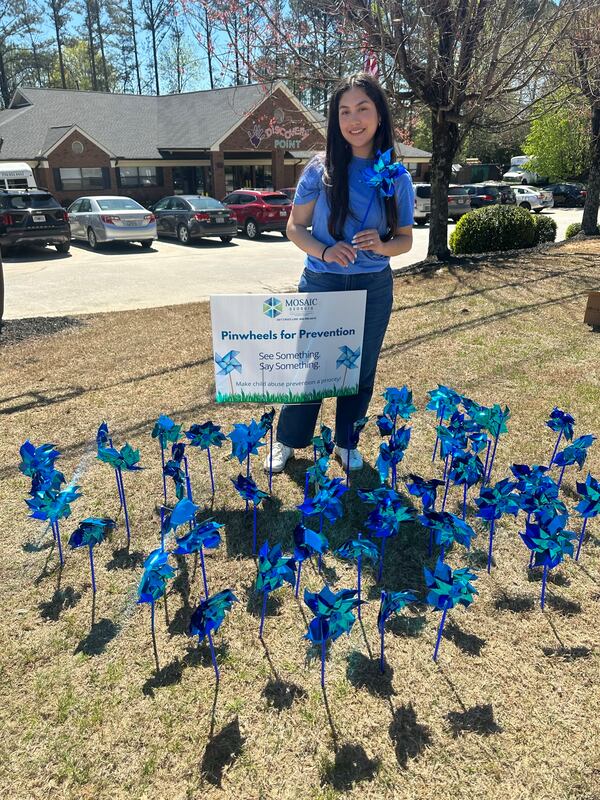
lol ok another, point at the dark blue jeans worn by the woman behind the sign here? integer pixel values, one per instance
(297, 421)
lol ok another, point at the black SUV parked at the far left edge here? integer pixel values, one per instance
(33, 216)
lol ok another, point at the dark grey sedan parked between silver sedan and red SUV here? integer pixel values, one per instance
(193, 216)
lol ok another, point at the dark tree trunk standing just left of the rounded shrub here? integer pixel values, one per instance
(446, 141)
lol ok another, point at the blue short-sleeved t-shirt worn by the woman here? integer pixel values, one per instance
(311, 187)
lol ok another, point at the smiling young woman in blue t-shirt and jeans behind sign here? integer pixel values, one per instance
(332, 199)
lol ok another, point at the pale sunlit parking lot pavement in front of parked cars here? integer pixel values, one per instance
(41, 282)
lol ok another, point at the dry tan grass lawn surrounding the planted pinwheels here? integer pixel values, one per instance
(510, 711)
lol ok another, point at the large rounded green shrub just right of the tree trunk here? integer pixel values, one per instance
(493, 228)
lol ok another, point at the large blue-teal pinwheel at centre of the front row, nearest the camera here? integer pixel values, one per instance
(333, 616)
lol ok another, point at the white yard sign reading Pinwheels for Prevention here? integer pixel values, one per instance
(288, 348)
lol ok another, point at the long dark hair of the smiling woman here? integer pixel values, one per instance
(339, 152)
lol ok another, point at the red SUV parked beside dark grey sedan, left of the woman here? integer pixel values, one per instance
(259, 210)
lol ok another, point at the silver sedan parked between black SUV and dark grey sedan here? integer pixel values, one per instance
(98, 220)
